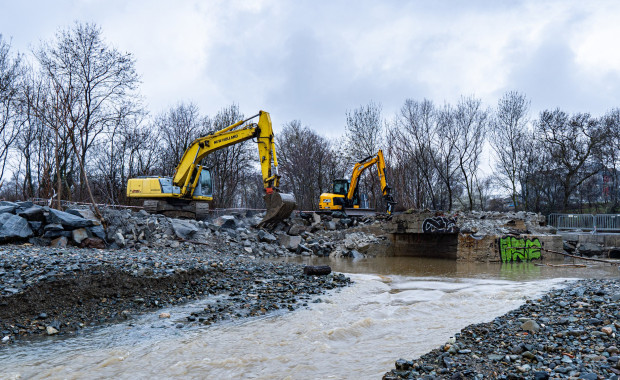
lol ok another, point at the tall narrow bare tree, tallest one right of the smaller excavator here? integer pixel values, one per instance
(508, 138)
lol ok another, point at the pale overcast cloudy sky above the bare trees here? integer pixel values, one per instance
(315, 60)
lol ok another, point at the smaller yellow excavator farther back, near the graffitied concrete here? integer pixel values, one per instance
(345, 194)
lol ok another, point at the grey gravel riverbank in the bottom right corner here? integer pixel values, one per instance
(568, 333)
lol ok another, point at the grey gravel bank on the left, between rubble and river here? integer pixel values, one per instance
(47, 291)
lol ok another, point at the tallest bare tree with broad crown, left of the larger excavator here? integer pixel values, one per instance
(92, 82)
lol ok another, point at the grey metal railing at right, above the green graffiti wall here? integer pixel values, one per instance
(585, 222)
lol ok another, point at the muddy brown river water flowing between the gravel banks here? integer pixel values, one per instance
(398, 308)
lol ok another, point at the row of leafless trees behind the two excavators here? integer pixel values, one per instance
(72, 126)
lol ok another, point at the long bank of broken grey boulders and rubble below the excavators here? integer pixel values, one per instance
(307, 234)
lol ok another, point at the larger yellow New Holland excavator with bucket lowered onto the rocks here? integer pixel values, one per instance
(189, 191)
